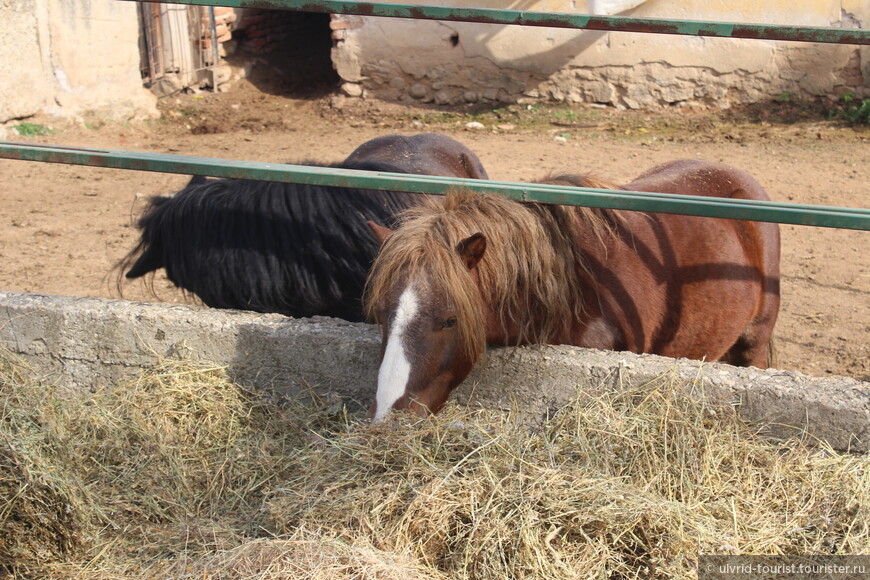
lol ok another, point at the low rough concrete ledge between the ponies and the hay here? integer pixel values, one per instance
(85, 343)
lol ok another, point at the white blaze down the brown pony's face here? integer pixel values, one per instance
(395, 368)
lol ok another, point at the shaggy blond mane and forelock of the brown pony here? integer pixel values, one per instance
(529, 273)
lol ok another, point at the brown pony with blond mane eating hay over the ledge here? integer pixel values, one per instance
(472, 270)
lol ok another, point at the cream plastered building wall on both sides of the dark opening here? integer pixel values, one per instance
(72, 57)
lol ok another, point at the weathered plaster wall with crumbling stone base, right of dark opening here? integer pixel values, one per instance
(455, 62)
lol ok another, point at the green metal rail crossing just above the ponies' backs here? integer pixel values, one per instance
(787, 213)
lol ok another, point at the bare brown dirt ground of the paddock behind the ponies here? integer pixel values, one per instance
(64, 228)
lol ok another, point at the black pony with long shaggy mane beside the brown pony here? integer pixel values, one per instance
(298, 250)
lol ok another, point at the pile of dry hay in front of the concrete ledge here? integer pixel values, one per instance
(184, 474)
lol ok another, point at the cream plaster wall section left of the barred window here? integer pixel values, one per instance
(71, 57)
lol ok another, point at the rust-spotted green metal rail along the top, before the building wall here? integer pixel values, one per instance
(555, 20)
